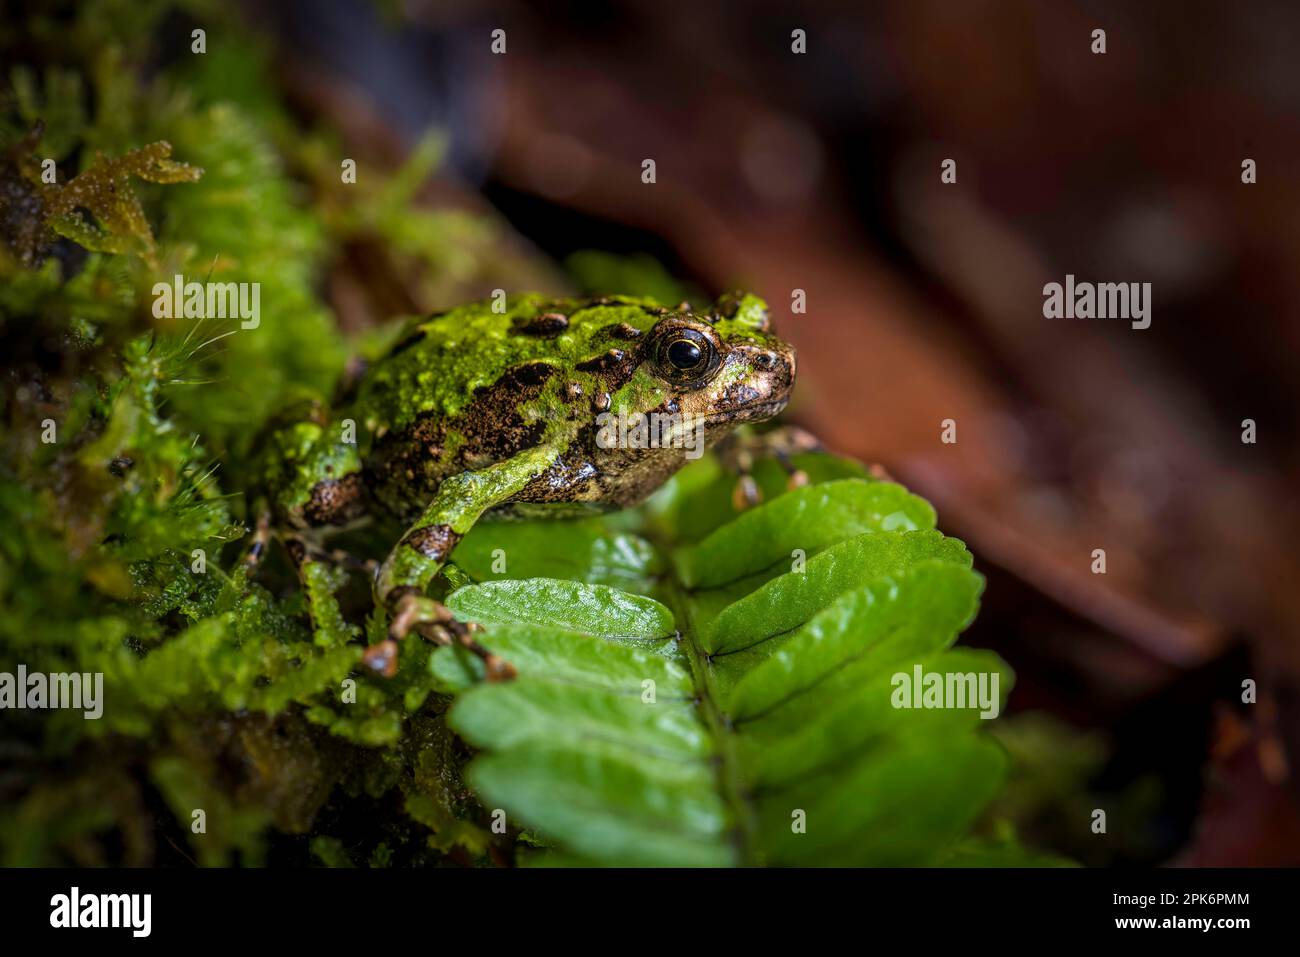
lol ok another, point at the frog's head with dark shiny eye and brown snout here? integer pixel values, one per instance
(723, 366)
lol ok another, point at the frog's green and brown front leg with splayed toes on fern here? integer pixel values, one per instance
(414, 564)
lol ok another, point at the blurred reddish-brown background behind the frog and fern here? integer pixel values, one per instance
(821, 172)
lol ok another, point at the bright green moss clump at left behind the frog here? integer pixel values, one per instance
(235, 729)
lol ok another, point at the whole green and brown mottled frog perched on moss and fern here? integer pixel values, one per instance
(499, 410)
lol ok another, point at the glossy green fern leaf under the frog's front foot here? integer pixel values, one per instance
(744, 711)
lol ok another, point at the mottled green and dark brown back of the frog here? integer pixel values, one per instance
(474, 387)
